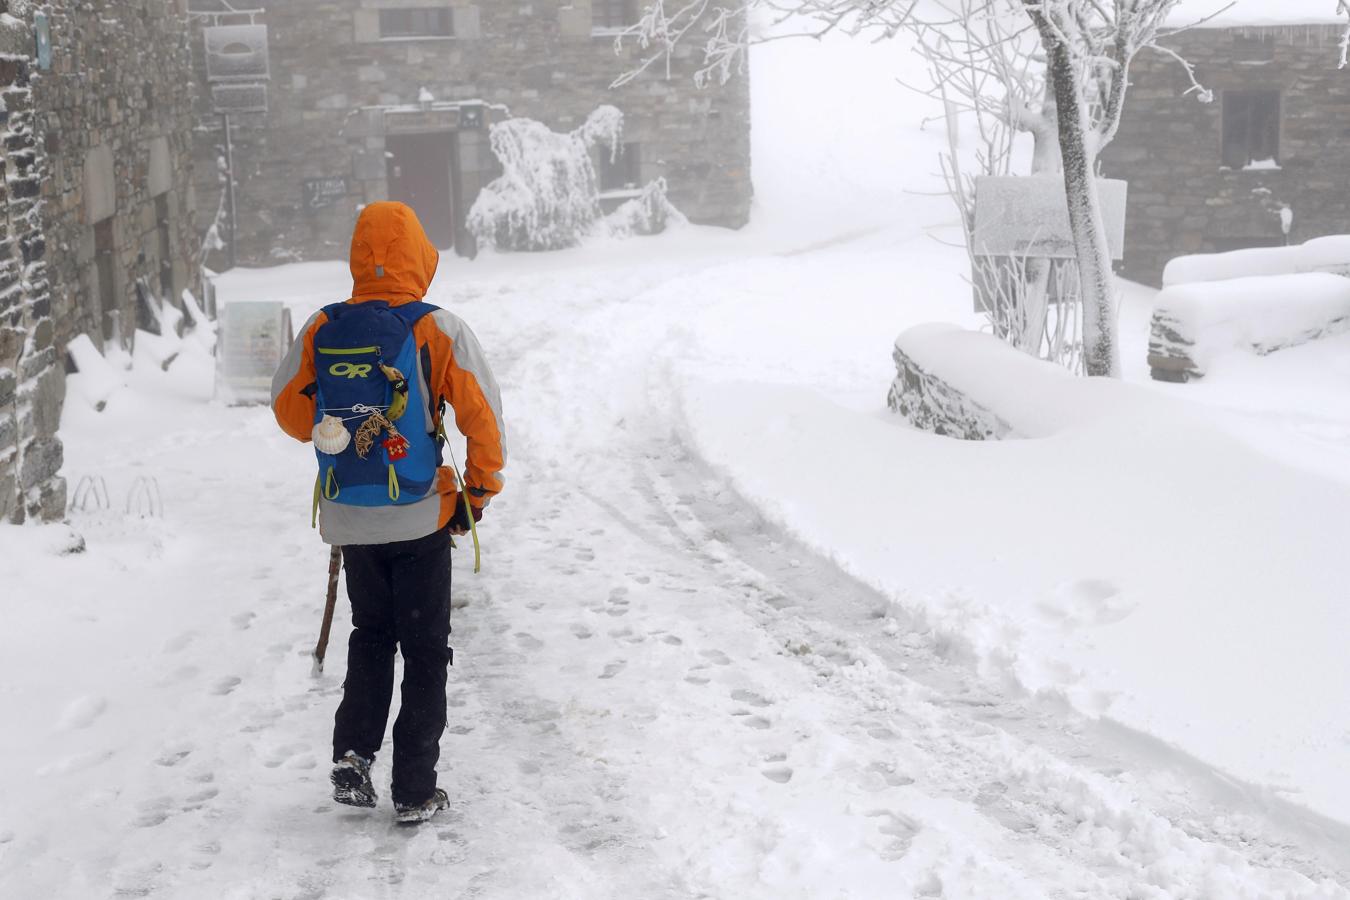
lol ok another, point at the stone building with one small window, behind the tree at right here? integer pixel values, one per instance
(1266, 164)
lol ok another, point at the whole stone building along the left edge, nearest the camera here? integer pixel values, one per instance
(98, 207)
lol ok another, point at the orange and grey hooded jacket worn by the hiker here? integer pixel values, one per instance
(392, 260)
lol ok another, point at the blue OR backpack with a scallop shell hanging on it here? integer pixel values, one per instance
(372, 434)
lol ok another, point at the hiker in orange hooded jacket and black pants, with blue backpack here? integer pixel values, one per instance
(368, 381)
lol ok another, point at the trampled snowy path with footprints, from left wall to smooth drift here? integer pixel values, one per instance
(655, 694)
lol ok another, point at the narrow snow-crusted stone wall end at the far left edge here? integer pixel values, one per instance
(32, 377)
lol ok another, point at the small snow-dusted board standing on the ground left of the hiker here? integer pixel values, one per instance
(252, 341)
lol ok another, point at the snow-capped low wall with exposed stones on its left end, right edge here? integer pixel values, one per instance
(1195, 323)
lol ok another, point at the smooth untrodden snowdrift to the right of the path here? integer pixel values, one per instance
(1132, 554)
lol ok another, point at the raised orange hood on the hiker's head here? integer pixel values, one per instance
(391, 256)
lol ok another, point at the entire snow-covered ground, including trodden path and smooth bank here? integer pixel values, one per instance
(740, 634)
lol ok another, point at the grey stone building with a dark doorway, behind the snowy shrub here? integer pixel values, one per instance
(392, 99)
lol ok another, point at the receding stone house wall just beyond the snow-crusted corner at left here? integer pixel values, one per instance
(115, 121)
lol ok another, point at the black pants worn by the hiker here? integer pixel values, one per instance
(400, 594)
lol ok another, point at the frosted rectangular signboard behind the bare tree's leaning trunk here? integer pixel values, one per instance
(1028, 217)
